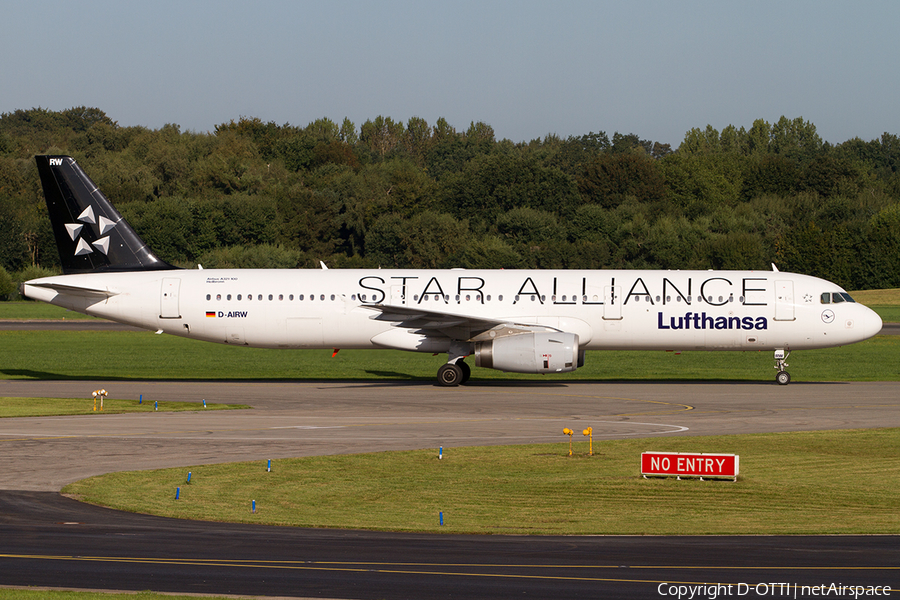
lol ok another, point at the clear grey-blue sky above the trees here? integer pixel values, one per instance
(527, 68)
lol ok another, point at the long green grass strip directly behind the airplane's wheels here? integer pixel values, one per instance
(125, 355)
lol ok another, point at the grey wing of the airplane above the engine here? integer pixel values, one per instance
(458, 327)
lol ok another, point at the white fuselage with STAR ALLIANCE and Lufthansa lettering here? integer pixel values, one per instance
(608, 310)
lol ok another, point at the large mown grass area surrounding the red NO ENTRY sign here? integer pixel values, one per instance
(824, 482)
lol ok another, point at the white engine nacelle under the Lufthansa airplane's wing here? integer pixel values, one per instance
(540, 352)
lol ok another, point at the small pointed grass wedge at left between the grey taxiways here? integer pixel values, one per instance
(55, 407)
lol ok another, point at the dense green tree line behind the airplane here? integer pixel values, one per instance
(394, 194)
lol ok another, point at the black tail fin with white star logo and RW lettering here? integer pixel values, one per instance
(91, 235)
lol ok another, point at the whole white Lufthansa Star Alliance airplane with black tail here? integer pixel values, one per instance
(522, 321)
